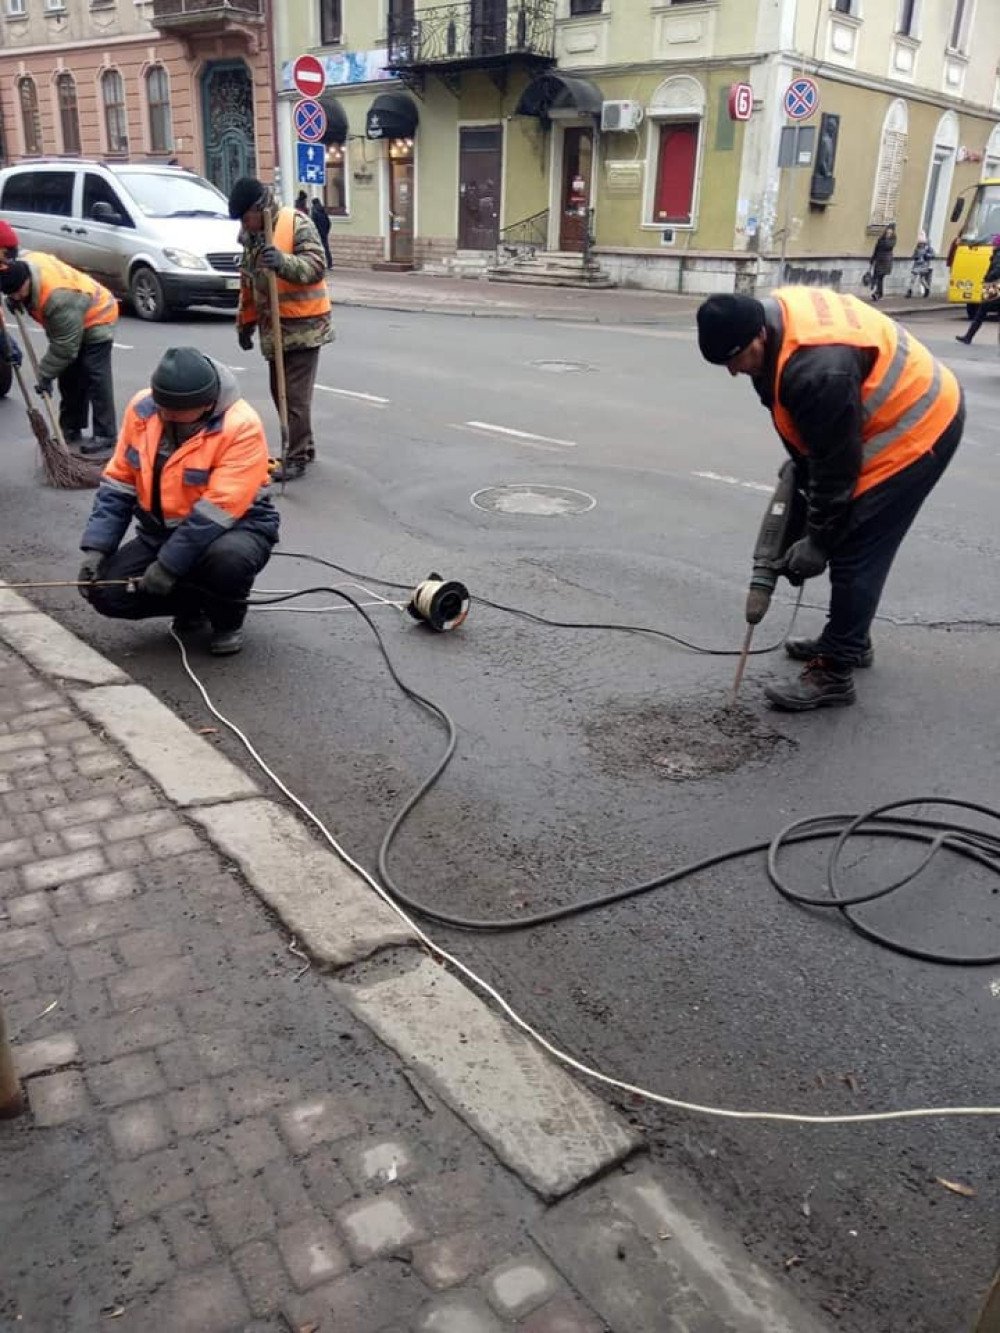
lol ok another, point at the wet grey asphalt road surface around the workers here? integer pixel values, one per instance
(590, 760)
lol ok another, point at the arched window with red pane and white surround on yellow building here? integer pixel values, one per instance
(677, 117)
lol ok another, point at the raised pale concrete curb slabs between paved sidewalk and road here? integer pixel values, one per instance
(554, 1134)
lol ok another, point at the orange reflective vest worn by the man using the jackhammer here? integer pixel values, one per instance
(909, 399)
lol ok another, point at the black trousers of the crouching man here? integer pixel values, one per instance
(218, 586)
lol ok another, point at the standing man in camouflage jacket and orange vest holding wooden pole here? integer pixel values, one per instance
(298, 261)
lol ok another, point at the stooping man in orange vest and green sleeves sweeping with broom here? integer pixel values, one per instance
(79, 319)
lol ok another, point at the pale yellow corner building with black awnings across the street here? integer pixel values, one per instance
(475, 134)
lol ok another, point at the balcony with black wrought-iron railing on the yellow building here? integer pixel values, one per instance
(473, 35)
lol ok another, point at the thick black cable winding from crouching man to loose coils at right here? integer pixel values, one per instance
(966, 842)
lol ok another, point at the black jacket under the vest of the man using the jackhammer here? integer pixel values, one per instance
(822, 391)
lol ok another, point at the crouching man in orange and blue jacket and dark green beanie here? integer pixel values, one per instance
(191, 467)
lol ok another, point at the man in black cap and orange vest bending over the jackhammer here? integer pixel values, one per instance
(871, 421)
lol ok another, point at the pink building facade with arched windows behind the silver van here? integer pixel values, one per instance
(149, 81)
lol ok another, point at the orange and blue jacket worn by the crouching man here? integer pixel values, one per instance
(213, 483)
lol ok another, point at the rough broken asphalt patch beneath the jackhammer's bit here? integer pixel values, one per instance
(683, 742)
